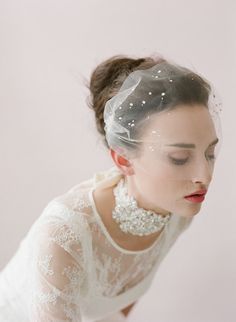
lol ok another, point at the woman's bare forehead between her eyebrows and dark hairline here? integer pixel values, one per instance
(183, 123)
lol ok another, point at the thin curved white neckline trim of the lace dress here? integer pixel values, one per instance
(111, 240)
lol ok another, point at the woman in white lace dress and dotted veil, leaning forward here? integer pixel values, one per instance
(95, 249)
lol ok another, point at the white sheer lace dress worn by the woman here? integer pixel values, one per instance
(68, 268)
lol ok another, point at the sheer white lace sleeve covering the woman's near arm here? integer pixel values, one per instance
(56, 273)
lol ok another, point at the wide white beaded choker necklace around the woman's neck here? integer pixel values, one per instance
(131, 218)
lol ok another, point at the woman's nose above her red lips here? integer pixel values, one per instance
(203, 172)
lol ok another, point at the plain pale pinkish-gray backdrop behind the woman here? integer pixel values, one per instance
(48, 140)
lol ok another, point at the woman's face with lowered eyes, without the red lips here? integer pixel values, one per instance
(165, 173)
